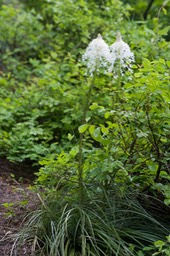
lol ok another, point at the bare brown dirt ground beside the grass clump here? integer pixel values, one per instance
(16, 200)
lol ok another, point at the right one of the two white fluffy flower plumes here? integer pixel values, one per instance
(122, 53)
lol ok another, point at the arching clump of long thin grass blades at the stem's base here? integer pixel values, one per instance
(104, 224)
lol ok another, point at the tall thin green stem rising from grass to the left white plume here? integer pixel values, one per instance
(80, 163)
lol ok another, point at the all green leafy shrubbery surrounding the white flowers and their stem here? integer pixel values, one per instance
(42, 73)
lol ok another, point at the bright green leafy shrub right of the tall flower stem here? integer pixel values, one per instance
(126, 133)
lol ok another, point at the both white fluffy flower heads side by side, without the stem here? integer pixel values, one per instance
(98, 54)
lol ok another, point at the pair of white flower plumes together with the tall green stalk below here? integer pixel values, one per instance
(99, 55)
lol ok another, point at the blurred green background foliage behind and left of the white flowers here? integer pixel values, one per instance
(41, 69)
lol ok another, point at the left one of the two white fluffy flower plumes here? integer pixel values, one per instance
(97, 55)
